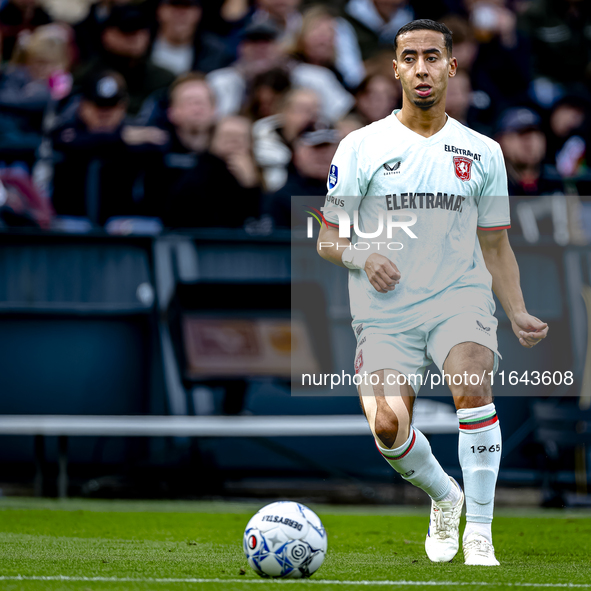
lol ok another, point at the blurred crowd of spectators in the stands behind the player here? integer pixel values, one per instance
(141, 115)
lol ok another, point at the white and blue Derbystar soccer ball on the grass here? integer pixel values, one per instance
(285, 540)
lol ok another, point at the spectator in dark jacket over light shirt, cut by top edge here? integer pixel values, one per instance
(179, 45)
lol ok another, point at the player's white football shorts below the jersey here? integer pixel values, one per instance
(411, 352)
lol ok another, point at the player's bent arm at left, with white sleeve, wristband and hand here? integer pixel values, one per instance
(347, 185)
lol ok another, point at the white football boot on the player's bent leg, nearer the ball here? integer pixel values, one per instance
(443, 537)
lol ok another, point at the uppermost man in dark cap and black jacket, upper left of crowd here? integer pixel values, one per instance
(125, 44)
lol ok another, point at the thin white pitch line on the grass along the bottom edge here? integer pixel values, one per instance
(294, 581)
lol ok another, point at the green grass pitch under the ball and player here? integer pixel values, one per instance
(135, 546)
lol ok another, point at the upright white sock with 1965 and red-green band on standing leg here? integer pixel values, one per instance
(480, 449)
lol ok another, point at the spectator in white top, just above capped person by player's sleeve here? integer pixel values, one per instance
(274, 136)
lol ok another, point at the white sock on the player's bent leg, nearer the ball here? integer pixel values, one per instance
(415, 462)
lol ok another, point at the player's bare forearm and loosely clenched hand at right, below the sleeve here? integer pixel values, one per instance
(502, 265)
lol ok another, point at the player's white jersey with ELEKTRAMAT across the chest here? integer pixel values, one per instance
(453, 182)
